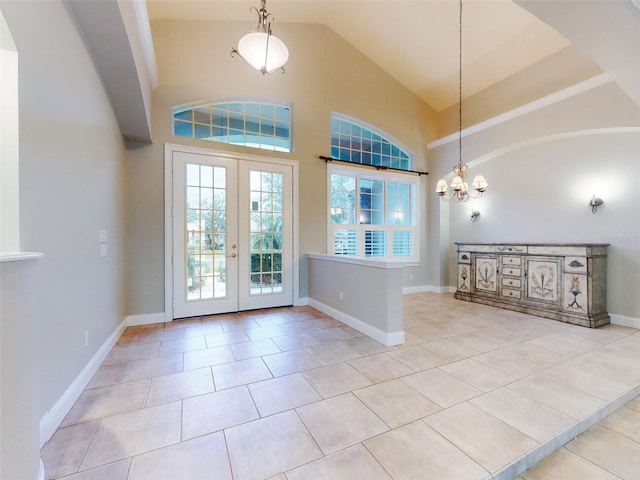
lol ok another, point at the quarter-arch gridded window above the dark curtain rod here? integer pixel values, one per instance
(356, 142)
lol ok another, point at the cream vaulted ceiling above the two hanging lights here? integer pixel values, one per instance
(415, 41)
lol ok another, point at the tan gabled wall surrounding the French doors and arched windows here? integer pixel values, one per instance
(324, 74)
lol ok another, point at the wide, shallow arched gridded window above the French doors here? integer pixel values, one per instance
(249, 123)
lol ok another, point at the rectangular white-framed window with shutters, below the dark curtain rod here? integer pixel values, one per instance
(372, 214)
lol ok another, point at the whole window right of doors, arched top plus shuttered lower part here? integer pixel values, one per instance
(371, 213)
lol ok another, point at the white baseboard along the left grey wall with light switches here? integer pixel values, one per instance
(54, 417)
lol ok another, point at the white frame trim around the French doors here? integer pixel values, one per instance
(169, 148)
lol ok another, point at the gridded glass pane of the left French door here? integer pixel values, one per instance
(205, 232)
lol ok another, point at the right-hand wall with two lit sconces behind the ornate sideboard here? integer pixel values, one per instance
(542, 169)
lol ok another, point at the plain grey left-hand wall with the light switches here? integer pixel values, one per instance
(71, 186)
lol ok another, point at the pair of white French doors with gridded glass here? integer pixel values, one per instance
(231, 234)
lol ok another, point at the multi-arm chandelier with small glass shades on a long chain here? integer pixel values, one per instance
(459, 186)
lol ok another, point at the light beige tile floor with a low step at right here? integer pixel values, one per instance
(290, 394)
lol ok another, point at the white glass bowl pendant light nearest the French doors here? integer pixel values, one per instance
(260, 49)
